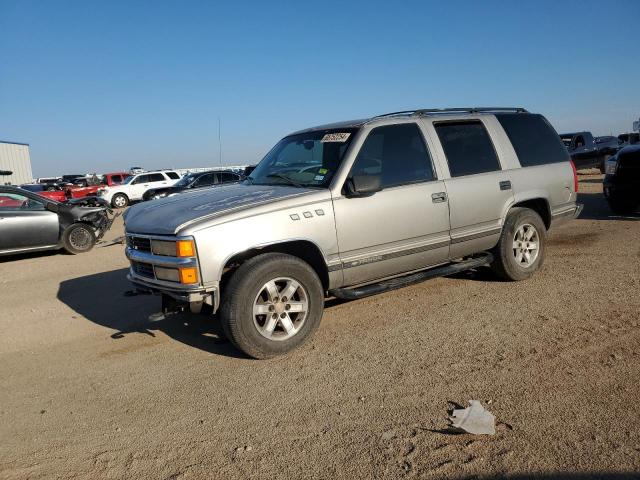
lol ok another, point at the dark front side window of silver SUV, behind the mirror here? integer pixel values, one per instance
(397, 153)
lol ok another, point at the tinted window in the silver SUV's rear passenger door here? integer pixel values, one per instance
(467, 147)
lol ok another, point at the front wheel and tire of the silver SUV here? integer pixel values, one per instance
(251, 289)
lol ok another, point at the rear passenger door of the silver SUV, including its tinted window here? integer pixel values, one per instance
(479, 191)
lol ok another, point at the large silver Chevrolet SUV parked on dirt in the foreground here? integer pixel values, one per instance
(356, 208)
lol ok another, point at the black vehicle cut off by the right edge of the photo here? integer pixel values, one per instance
(622, 180)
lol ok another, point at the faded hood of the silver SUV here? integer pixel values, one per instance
(167, 215)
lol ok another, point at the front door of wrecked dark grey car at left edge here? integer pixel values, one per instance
(25, 223)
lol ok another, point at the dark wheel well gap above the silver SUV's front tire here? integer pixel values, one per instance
(304, 250)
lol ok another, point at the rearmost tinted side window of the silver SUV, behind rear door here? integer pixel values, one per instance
(534, 139)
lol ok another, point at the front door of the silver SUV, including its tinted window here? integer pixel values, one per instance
(403, 227)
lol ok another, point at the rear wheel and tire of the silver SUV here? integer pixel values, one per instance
(510, 263)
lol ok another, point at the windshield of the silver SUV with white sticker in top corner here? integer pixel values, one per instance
(304, 160)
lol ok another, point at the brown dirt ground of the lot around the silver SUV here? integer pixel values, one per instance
(90, 389)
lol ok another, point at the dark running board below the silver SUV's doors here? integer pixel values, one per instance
(482, 259)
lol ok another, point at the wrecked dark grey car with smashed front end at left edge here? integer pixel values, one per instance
(29, 222)
